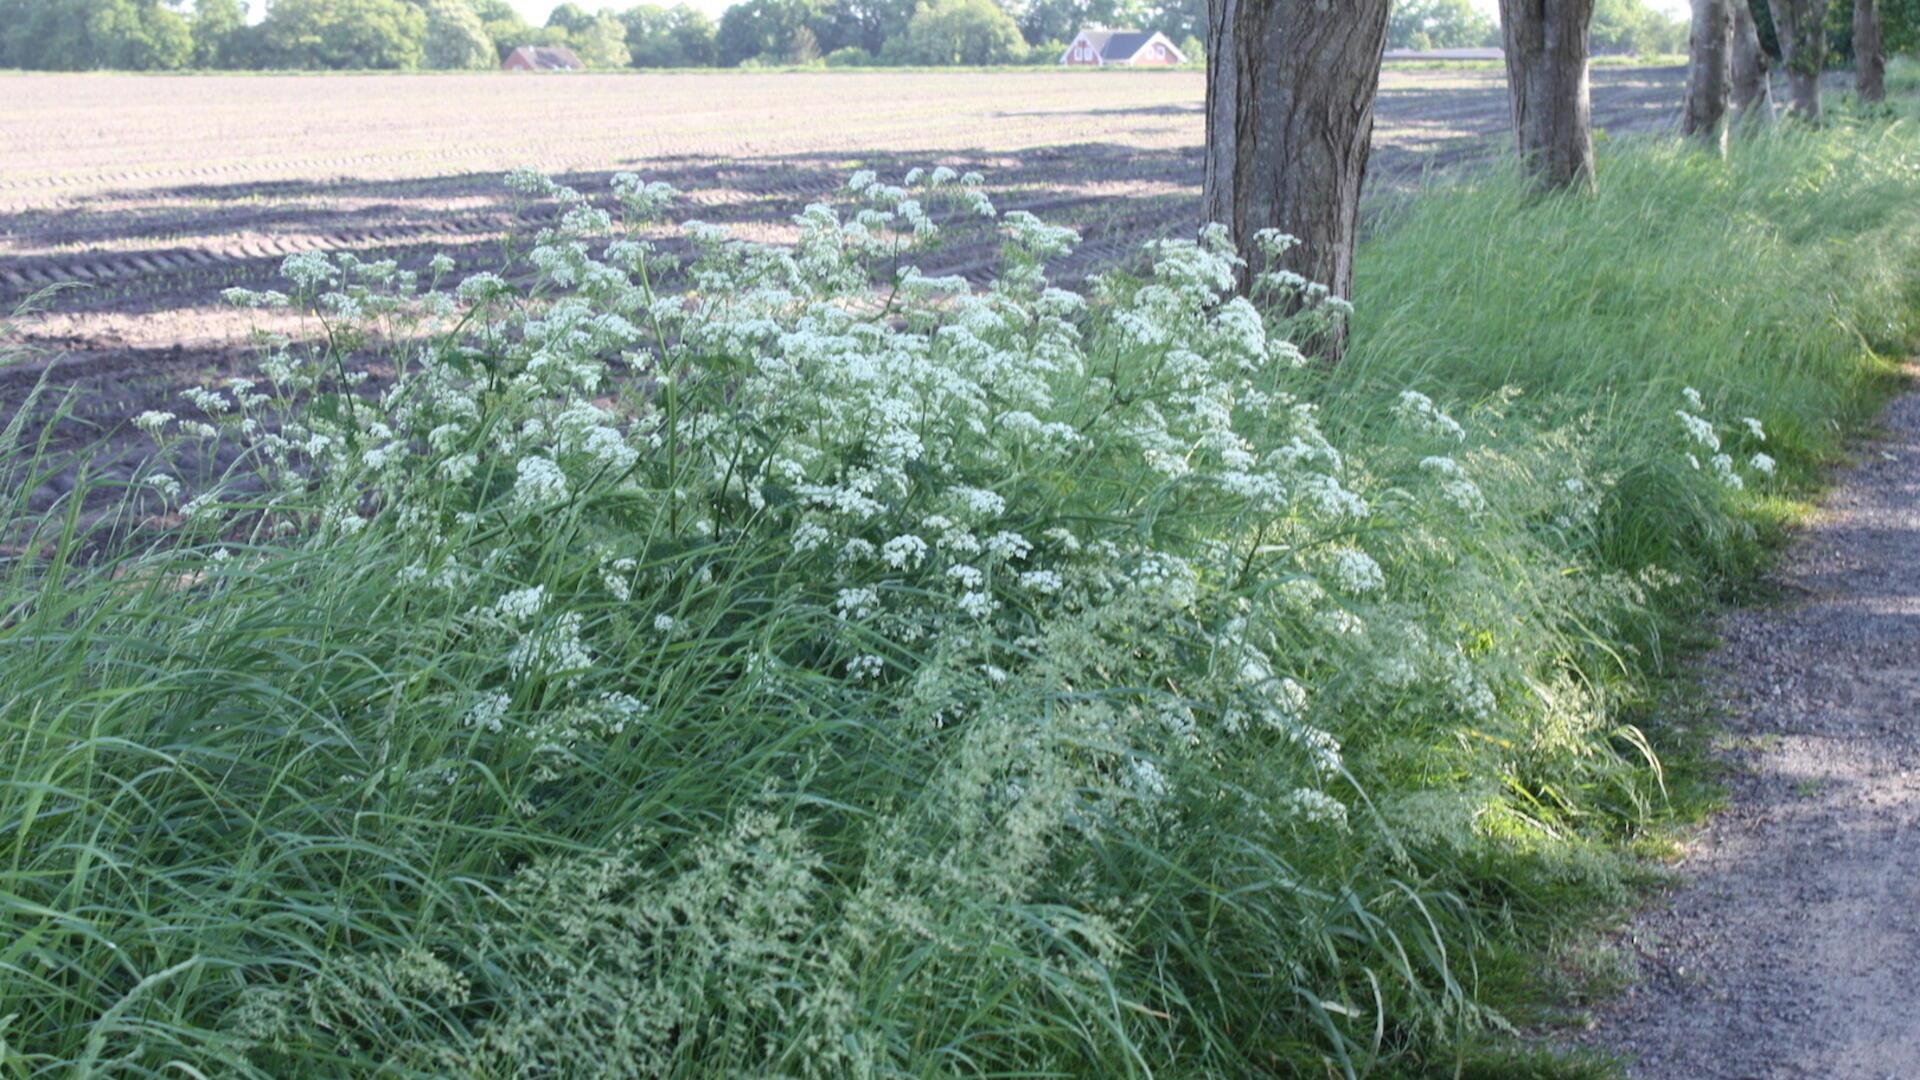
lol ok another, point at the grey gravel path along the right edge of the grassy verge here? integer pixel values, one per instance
(1792, 946)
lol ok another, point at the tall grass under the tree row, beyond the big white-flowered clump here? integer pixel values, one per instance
(1779, 282)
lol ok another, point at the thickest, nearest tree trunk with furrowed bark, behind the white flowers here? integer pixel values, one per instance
(1289, 126)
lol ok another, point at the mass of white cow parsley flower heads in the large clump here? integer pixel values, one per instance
(915, 464)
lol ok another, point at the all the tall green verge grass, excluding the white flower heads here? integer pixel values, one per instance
(249, 825)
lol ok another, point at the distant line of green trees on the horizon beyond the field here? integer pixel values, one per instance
(162, 36)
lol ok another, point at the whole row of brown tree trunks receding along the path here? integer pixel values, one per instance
(1293, 86)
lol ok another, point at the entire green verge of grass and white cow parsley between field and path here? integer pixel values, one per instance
(1007, 683)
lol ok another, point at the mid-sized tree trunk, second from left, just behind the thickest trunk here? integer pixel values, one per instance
(1547, 80)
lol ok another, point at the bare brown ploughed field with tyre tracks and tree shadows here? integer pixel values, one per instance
(145, 197)
